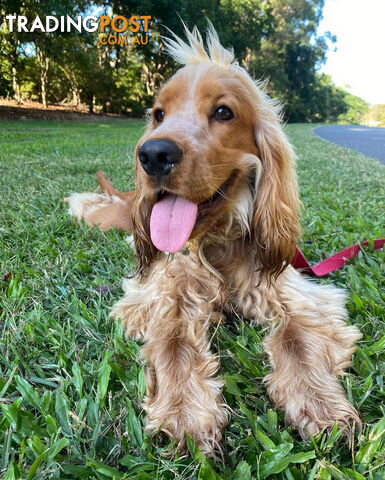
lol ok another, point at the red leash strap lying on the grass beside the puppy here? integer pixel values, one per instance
(334, 262)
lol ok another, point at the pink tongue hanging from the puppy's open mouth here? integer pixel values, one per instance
(172, 221)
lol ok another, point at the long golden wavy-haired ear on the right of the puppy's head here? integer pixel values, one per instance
(276, 225)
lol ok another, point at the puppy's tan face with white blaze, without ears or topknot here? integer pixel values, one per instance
(194, 148)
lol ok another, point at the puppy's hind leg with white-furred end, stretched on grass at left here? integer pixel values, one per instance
(105, 210)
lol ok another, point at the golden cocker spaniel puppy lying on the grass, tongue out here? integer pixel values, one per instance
(216, 187)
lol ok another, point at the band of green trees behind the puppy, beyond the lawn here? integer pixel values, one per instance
(272, 38)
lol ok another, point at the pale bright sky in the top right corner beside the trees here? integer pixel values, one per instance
(359, 57)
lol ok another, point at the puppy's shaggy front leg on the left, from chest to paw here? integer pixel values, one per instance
(175, 306)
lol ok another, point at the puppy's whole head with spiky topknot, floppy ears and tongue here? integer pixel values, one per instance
(214, 149)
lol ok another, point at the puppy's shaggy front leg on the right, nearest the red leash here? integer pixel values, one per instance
(309, 346)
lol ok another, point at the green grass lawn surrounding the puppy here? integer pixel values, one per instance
(71, 385)
